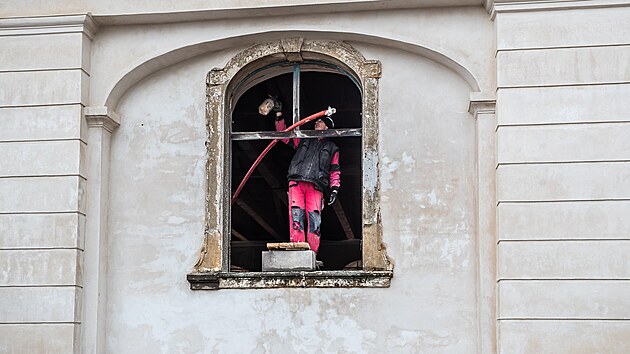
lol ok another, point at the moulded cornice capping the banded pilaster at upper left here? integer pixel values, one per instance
(23, 26)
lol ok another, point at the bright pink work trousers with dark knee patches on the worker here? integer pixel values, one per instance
(305, 218)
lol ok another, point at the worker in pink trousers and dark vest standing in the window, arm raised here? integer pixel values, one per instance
(314, 171)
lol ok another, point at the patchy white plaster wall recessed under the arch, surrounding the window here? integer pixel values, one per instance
(156, 228)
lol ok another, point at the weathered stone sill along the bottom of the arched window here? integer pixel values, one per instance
(273, 280)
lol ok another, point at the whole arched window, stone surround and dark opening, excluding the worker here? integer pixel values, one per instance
(308, 76)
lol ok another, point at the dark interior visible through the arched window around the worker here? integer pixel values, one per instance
(260, 214)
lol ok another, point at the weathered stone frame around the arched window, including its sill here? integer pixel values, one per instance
(212, 268)
